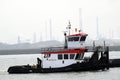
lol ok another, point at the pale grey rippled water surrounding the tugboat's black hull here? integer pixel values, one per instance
(11, 60)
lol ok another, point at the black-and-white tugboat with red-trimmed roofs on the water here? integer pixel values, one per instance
(71, 57)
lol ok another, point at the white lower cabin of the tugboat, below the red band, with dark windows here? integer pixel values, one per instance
(61, 59)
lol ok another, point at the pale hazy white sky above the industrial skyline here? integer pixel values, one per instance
(26, 18)
